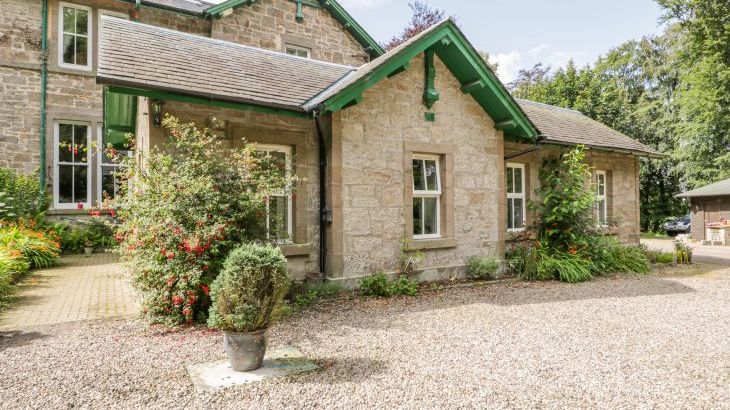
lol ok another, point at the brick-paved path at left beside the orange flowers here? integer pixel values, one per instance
(80, 288)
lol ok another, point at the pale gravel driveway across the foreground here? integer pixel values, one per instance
(622, 342)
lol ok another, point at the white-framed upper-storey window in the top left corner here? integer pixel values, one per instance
(74, 36)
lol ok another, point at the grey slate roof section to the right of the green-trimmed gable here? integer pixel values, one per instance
(563, 126)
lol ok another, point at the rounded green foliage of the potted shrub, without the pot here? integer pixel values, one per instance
(249, 292)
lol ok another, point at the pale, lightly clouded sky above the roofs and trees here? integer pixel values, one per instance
(520, 33)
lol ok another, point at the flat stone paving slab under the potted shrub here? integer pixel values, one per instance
(279, 363)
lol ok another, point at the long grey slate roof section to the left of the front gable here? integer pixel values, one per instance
(139, 55)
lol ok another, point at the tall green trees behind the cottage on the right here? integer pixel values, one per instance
(671, 92)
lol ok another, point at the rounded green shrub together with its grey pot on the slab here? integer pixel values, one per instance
(247, 297)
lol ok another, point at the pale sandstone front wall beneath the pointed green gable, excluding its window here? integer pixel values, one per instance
(372, 145)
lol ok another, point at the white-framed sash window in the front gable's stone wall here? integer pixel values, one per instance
(426, 197)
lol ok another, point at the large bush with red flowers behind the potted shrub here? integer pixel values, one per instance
(188, 204)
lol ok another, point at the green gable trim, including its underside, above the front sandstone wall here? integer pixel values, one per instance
(465, 64)
